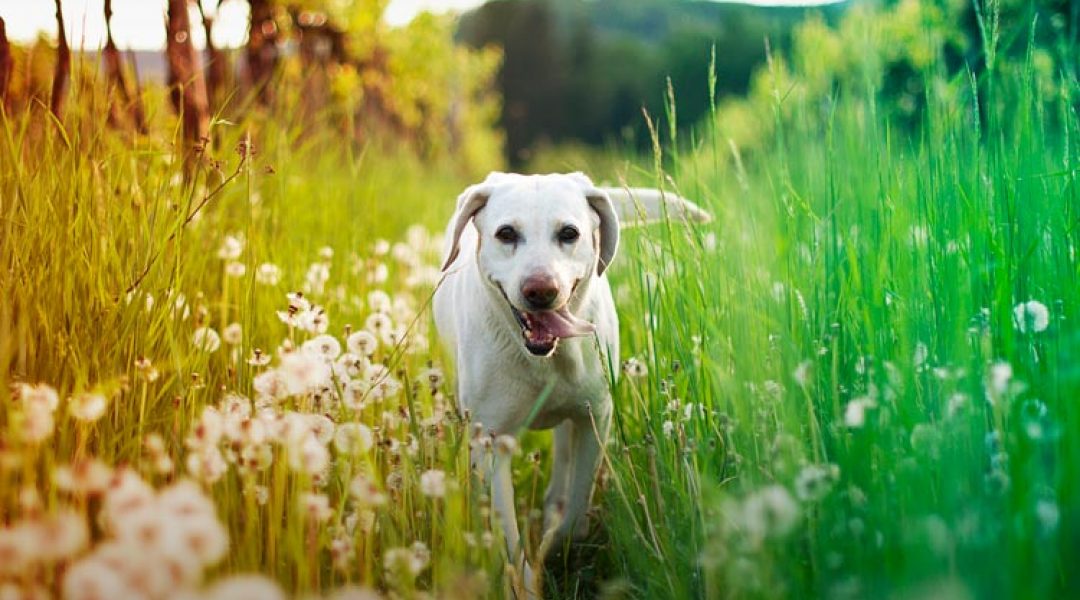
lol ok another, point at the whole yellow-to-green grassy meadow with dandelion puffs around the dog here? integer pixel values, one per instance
(859, 381)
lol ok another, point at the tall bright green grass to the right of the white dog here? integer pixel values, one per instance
(860, 264)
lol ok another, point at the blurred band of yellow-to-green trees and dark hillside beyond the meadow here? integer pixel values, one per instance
(514, 79)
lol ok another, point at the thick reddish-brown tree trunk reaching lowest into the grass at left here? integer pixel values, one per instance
(185, 75)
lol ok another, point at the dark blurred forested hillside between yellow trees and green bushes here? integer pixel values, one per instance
(584, 71)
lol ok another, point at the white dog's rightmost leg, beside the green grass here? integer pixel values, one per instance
(588, 438)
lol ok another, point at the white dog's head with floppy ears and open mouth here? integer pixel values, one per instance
(541, 240)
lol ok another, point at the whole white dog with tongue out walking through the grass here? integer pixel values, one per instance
(526, 310)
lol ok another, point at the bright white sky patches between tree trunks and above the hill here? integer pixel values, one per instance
(140, 24)
